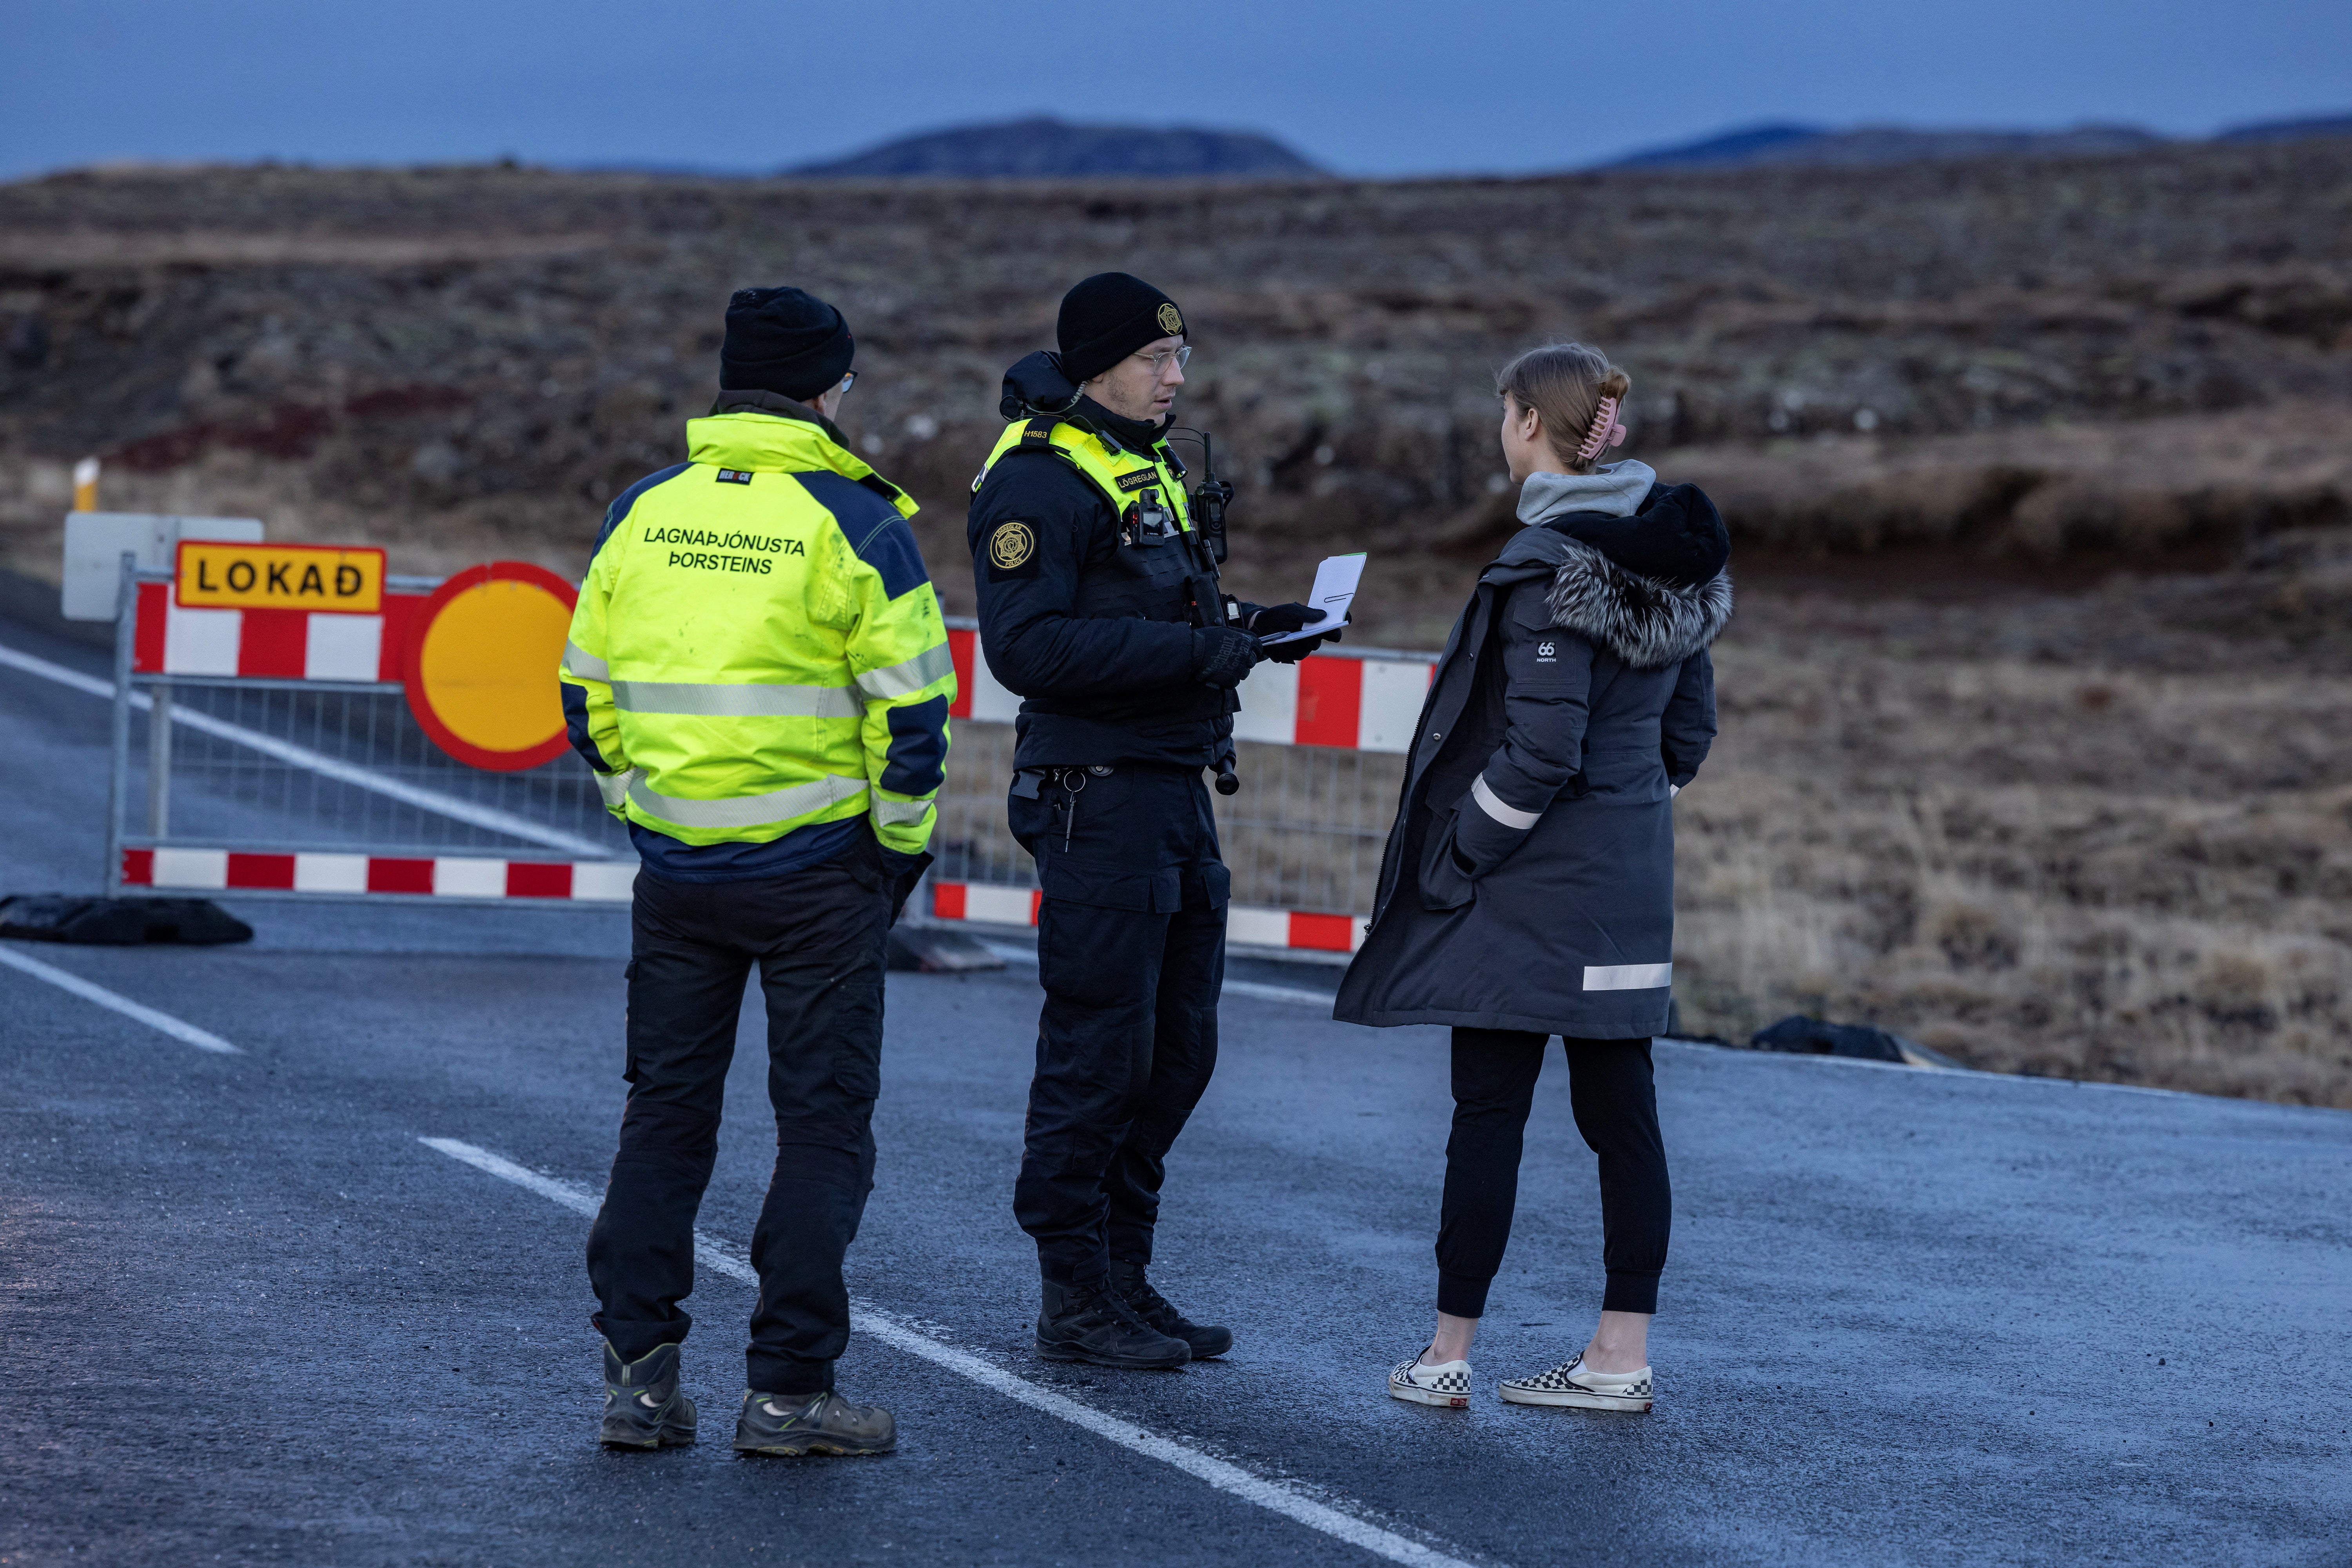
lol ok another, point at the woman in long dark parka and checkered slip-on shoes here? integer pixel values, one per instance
(1530, 878)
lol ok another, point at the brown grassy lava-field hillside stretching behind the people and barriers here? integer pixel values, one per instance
(2036, 711)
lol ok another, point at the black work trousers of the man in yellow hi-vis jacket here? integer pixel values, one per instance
(817, 939)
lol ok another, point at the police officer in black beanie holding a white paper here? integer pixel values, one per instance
(1100, 608)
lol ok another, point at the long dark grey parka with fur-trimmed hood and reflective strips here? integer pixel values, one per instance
(1530, 878)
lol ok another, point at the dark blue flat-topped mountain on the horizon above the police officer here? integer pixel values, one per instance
(1055, 149)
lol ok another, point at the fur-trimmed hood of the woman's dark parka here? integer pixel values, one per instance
(1650, 587)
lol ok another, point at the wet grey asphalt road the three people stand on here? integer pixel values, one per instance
(1911, 1318)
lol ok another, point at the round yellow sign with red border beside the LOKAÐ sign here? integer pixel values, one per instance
(481, 666)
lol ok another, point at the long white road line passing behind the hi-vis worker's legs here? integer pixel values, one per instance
(890, 1329)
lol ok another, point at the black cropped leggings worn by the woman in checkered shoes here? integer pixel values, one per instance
(1617, 1111)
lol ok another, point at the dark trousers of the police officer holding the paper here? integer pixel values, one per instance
(1132, 958)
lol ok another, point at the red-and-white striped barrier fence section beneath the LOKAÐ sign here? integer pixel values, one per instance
(290, 786)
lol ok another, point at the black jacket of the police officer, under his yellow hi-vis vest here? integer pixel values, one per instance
(1095, 636)
